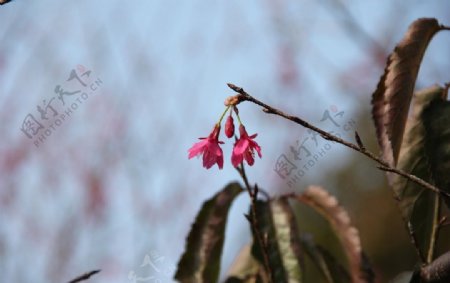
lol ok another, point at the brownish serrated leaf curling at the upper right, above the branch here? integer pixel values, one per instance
(395, 89)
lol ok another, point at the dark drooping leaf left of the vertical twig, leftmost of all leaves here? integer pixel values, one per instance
(201, 259)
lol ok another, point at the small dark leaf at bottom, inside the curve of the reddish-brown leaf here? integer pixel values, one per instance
(330, 268)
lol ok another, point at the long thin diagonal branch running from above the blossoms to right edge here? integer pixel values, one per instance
(244, 96)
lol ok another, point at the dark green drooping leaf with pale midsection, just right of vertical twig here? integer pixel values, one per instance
(277, 226)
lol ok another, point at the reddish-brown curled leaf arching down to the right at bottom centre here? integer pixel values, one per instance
(327, 205)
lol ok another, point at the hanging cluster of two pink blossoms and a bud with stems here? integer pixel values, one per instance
(244, 147)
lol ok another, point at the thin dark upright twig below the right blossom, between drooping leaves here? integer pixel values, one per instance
(254, 219)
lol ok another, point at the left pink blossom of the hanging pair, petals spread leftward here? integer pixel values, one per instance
(210, 148)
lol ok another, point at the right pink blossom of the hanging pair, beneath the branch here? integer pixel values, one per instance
(245, 148)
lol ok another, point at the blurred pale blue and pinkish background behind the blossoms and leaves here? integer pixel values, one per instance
(109, 185)
